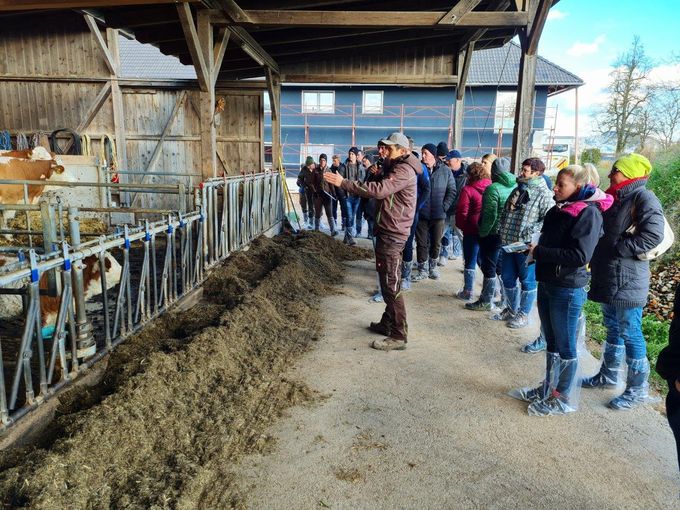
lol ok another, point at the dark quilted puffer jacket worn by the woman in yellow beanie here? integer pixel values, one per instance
(619, 278)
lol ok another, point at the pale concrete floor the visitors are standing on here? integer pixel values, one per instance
(432, 427)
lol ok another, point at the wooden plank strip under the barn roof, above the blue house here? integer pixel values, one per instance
(427, 61)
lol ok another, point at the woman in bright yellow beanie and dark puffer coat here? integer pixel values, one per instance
(620, 281)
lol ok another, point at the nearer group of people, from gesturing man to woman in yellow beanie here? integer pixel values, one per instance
(534, 242)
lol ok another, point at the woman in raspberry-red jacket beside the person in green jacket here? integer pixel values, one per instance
(468, 211)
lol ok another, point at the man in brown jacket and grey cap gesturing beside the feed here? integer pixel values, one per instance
(395, 192)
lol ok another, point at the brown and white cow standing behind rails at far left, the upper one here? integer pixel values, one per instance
(35, 165)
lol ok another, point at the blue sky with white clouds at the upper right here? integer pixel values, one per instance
(586, 36)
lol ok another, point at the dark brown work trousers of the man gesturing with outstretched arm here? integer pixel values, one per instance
(388, 254)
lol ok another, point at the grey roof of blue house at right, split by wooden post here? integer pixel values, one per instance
(500, 66)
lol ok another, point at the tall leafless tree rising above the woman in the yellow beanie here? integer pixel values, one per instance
(623, 117)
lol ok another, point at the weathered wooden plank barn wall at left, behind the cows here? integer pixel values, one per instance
(50, 78)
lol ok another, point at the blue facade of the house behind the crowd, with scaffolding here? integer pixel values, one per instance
(425, 114)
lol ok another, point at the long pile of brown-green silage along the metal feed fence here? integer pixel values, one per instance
(189, 395)
